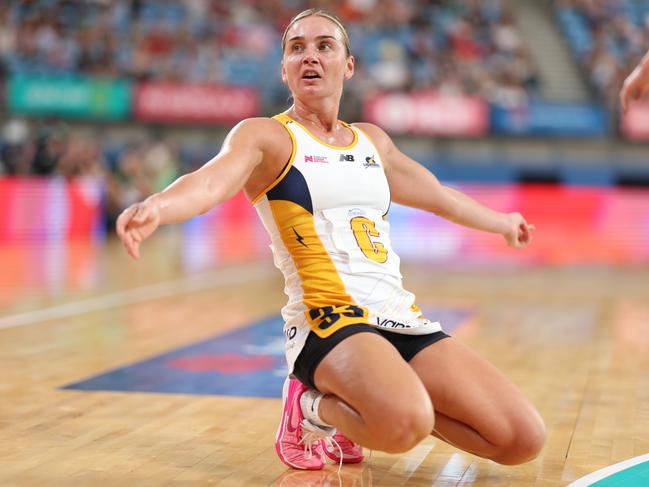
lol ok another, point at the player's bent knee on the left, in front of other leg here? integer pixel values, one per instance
(401, 427)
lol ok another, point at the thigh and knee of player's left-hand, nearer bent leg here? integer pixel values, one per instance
(372, 395)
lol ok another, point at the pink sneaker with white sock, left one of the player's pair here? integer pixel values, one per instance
(299, 442)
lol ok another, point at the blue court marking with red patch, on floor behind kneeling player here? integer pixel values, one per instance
(246, 362)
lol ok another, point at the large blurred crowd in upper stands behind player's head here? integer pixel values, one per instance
(466, 46)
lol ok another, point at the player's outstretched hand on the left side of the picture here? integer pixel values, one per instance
(136, 223)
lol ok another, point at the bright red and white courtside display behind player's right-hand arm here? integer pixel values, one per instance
(574, 225)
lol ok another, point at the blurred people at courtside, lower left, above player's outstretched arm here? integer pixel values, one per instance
(130, 171)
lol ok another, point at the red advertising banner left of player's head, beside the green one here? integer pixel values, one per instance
(194, 103)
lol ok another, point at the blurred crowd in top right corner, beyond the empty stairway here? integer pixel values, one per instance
(608, 37)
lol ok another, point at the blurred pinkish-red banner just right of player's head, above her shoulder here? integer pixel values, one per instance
(428, 113)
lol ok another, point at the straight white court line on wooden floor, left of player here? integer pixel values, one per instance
(186, 285)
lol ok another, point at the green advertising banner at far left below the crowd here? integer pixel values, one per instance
(99, 98)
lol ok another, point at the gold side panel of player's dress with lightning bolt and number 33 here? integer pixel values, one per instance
(329, 306)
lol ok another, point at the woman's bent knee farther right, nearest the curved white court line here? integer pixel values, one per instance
(524, 443)
